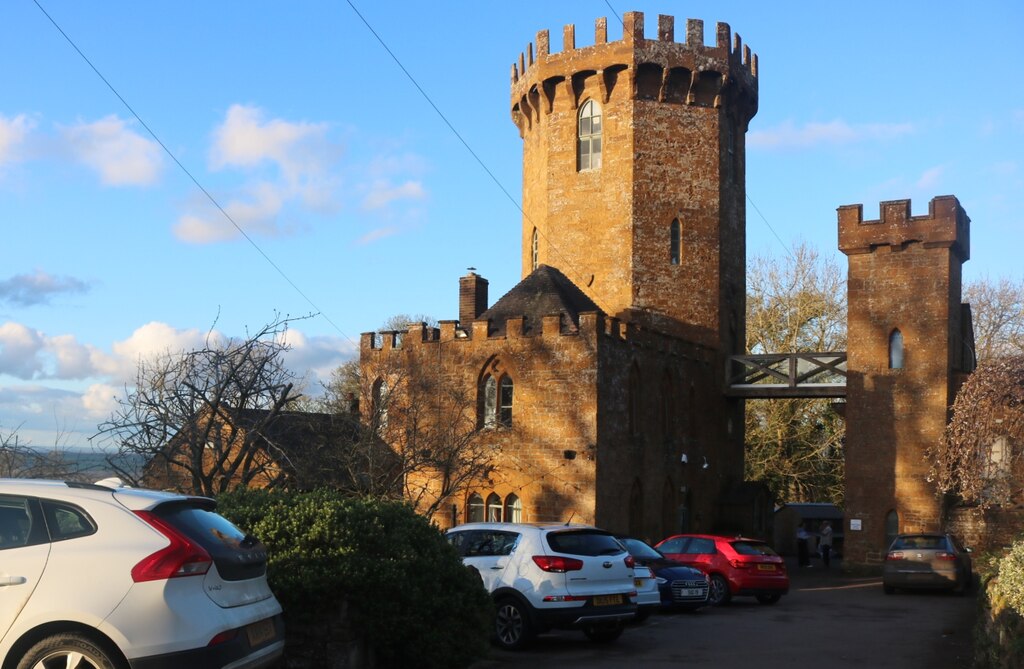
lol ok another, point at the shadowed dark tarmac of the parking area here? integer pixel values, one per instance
(827, 620)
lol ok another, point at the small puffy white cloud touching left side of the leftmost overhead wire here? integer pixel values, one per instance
(121, 156)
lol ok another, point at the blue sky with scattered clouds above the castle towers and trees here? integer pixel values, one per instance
(303, 127)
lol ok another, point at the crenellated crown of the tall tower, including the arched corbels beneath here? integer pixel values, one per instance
(689, 73)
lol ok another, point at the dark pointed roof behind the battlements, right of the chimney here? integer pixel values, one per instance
(545, 292)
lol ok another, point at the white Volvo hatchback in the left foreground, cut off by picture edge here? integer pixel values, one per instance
(95, 577)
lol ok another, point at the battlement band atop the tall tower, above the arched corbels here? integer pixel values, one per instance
(736, 60)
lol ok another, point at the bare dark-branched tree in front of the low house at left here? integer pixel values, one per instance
(200, 417)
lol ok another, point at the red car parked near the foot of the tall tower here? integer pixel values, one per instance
(736, 566)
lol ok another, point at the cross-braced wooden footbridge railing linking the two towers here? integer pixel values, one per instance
(788, 375)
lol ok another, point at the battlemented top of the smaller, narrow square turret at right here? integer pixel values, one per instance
(947, 226)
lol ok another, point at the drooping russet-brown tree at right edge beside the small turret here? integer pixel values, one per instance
(980, 463)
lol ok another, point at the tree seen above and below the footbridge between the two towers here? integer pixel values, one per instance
(796, 306)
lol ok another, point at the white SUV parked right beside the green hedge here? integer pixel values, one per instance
(550, 576)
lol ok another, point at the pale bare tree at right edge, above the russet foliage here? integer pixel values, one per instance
(998, 312)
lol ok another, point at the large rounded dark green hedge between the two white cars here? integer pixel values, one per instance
(408, 595)
